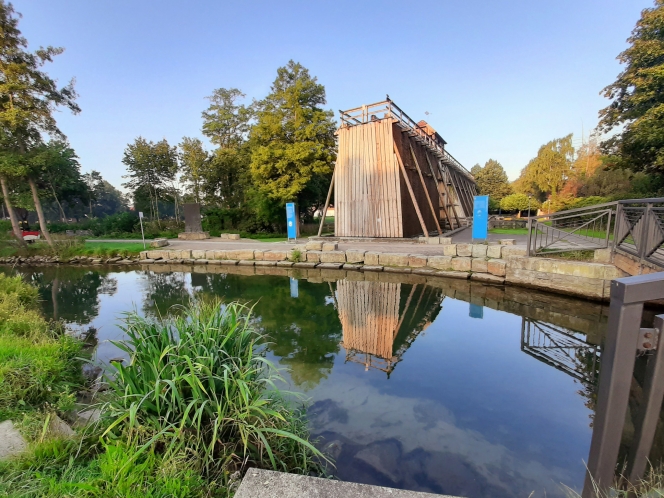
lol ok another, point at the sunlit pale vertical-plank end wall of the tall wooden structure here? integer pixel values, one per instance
(367, 194)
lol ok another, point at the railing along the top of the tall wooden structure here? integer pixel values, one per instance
(366, 113)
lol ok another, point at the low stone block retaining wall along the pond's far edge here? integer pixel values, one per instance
(493, 263)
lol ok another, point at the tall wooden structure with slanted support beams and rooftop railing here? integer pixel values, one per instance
(394, 178)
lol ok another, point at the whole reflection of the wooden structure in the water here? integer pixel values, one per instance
(377, 327)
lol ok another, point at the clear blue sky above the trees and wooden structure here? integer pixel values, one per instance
(499, 78)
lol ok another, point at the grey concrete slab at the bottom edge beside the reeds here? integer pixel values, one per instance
(269, 484)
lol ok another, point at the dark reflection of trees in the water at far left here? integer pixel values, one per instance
(70, 293)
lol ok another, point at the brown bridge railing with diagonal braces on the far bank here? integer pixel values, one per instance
(632, 226)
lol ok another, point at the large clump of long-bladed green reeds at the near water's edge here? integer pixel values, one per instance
(198, 384)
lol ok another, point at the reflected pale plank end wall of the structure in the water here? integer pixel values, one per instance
(369, 315)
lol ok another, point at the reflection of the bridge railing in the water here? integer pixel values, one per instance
(560, 348)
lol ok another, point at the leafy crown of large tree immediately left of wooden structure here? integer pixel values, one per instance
(293, 146)
